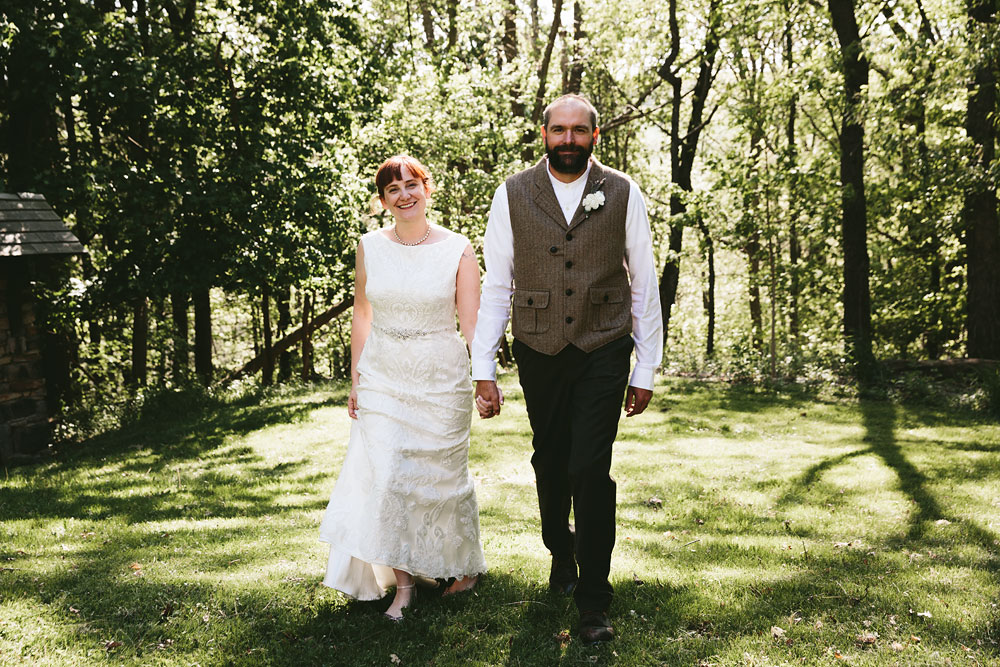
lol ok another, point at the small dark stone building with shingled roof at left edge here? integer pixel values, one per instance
(32, 237)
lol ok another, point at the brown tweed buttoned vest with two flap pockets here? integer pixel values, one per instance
(570, 283)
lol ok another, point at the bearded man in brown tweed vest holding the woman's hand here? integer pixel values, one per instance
(568, 242)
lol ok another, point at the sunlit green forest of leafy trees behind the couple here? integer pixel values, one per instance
(820, 176)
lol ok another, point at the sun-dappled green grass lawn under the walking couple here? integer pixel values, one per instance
(793, 530)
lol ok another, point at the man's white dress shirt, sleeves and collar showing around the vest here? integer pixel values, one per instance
(498, 251)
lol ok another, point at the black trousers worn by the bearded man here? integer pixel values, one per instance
(574, 400)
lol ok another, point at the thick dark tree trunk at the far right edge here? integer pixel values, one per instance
(979, 213)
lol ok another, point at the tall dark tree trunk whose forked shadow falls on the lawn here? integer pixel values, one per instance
(854, 220)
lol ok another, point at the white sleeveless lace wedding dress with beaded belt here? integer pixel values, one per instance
(405, 498)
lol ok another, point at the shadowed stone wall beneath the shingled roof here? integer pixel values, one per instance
(25, 430)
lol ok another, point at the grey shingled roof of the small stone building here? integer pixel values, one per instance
(29, 226)
